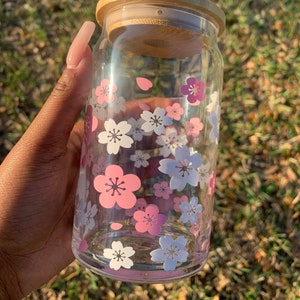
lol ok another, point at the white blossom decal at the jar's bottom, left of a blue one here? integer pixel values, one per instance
(119, 256)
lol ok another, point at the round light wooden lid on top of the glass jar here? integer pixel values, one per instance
(161, 29)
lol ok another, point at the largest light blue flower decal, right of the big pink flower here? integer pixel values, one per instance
(182, 169)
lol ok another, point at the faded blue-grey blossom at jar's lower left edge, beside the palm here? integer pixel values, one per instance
(84, 215)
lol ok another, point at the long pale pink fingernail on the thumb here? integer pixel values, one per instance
(79, 44)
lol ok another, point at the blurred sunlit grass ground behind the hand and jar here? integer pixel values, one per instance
(255, 246)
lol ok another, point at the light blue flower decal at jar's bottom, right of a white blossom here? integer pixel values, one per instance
(171, 252)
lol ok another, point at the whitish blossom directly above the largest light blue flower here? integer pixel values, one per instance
(170, 141)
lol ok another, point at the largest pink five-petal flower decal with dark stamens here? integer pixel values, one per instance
(117, 188)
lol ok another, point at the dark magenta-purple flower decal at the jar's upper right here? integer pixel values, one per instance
(195, 90)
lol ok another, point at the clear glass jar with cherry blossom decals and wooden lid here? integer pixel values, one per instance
(144, 202)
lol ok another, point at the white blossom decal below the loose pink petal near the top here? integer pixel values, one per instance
(155, 121)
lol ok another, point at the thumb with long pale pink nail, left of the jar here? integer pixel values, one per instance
(52, 126)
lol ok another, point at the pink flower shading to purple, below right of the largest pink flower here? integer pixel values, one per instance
(149, 220)
